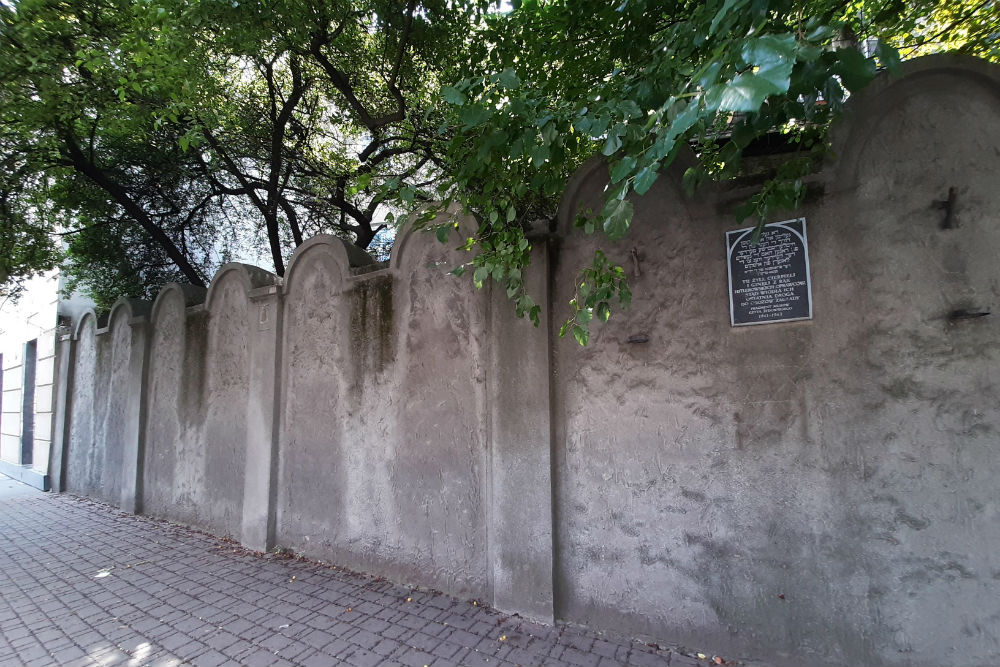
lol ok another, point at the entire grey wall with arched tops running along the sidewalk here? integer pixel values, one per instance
(819, 491)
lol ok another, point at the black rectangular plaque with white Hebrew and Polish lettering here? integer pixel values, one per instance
(769, 281)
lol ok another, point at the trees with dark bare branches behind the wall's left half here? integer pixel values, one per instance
(186, 124)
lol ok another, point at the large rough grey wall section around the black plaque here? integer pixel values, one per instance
(821, 491)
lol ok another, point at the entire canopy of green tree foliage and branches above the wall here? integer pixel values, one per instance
(160, 135)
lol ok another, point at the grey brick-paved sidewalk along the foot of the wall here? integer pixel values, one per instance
(83, 584)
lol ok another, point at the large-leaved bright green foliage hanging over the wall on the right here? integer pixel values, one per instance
(638, 81)
